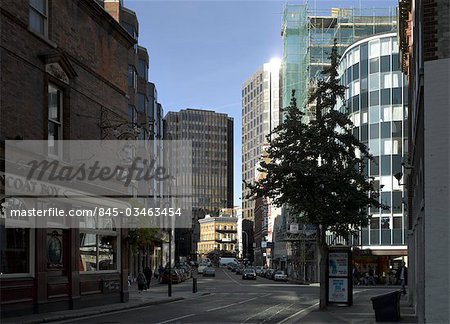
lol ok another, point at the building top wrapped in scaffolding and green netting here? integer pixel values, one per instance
(308, 36)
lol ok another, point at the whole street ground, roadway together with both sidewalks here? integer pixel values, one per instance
(226, 299)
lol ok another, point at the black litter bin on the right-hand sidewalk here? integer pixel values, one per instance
(387, 307)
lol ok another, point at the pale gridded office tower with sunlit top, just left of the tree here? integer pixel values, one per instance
(260, 115)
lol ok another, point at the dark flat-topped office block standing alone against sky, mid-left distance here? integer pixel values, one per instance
(211, 134)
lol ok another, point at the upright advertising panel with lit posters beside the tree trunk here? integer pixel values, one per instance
(339, 276)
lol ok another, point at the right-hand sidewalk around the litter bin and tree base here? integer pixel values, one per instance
(360, 313)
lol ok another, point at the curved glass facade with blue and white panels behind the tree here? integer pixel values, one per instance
(376, 99)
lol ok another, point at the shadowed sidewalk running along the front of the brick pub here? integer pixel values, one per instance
(157, 294)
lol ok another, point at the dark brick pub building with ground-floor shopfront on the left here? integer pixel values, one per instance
(64, 75)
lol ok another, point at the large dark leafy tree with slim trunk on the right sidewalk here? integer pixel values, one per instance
(316, 169)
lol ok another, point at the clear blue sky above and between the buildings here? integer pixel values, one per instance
(202, 51)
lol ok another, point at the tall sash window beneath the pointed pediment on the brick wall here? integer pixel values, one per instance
(55, 106)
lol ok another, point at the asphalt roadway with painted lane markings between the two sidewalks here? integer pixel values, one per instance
(222, 299)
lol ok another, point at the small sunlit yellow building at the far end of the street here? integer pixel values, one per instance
(217, 234)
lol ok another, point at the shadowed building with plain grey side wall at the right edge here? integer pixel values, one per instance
(425, 52)
